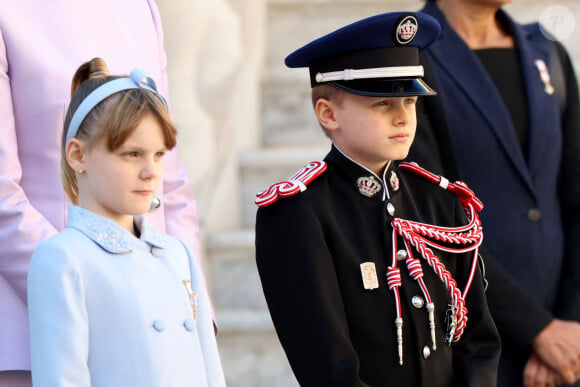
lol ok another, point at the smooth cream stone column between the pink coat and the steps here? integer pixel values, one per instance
(204, 47)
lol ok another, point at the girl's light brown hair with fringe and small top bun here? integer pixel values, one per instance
(112, 120)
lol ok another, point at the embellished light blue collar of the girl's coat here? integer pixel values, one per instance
(109, 235)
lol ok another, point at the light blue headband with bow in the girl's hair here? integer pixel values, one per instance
(138, 79)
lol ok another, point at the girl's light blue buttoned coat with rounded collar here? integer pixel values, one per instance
(108, 309)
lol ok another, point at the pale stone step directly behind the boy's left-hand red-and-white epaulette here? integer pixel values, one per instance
(263, 167)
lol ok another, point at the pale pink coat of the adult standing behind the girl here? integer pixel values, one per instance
(41, 45)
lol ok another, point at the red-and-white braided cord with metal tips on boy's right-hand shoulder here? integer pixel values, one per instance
(424, 238)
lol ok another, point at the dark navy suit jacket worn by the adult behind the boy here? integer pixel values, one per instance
(466, 132)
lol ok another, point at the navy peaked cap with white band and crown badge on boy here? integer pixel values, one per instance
(376, 56)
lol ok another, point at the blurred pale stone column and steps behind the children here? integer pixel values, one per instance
(245, 121)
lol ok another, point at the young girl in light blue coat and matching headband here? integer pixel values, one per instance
(112, 301)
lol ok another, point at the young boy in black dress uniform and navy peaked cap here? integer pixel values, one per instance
(369, 269)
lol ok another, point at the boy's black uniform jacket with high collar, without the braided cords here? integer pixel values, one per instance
(336, 333)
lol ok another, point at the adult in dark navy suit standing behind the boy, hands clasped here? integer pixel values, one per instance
(497, 124)
